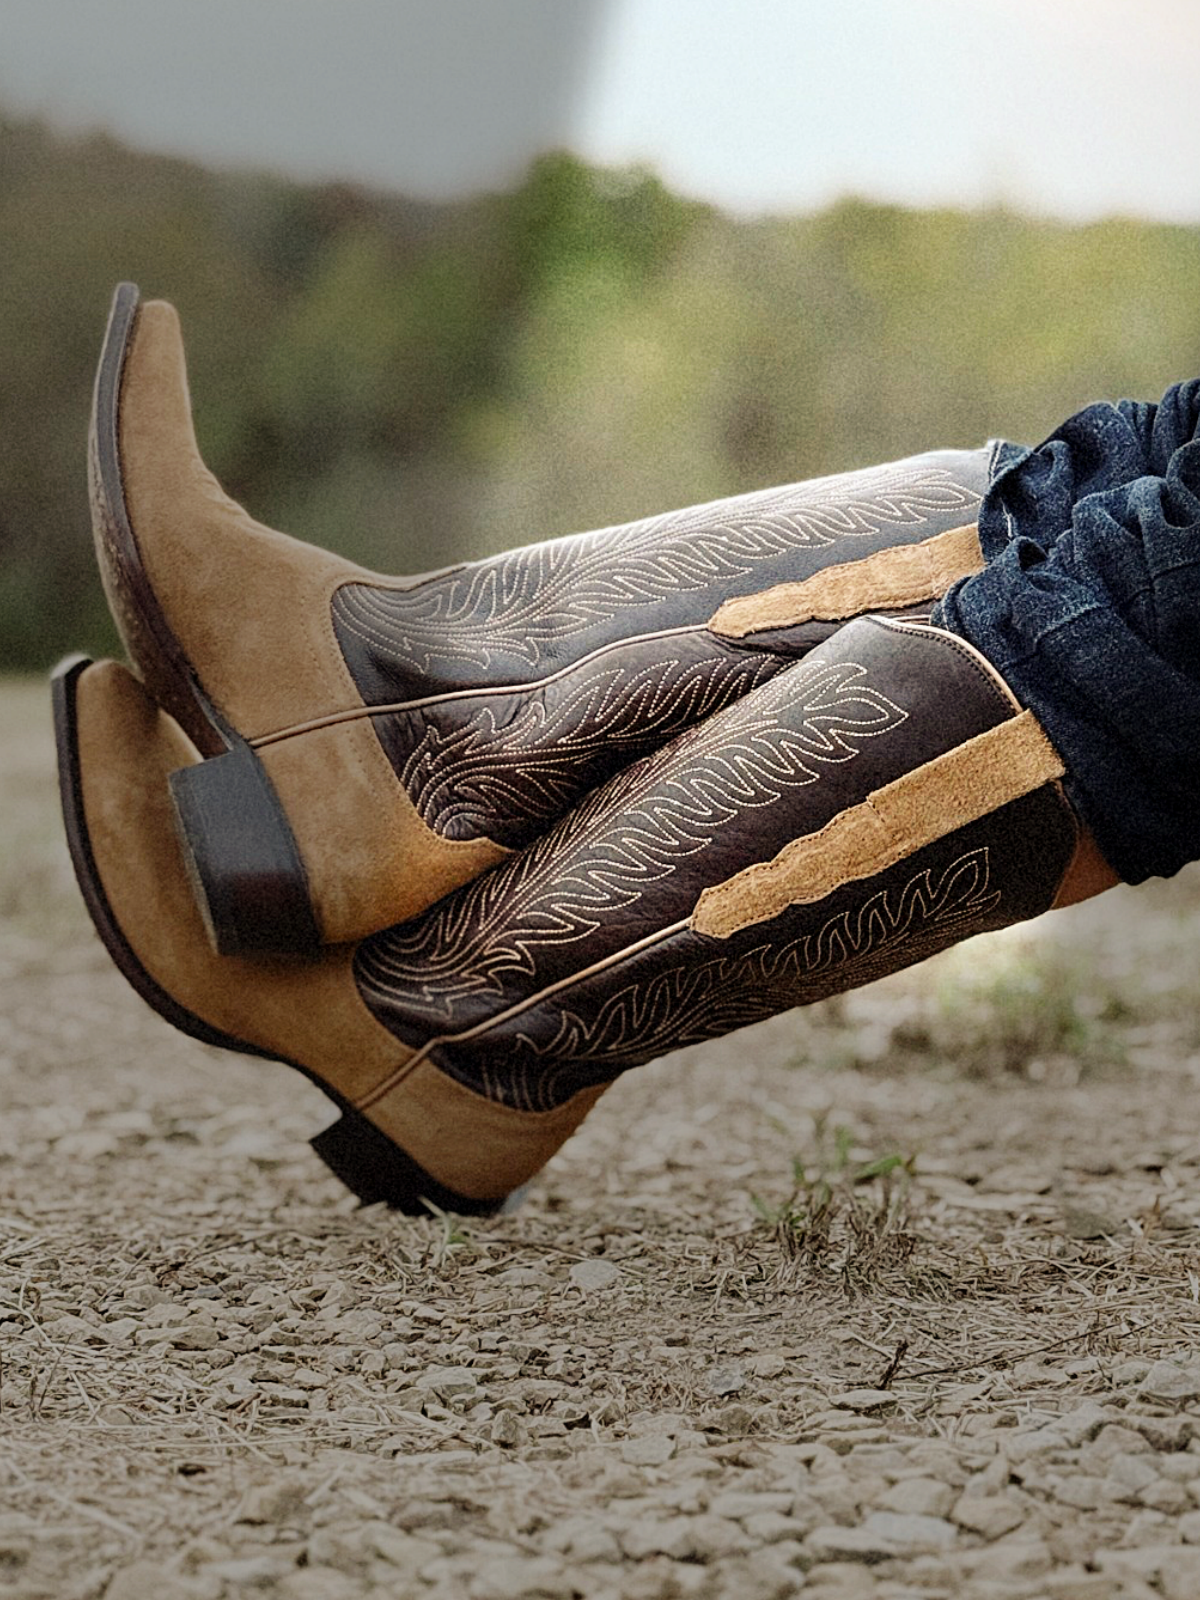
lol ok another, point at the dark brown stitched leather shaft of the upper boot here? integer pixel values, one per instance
(526, 681)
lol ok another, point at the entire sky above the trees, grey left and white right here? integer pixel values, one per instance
(1074, 108)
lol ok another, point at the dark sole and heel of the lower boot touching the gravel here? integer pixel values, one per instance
(372, 1166)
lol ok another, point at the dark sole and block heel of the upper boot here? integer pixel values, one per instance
(242, 858)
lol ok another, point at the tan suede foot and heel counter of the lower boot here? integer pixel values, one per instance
(305, 1012)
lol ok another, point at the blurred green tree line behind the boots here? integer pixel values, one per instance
(415, 385)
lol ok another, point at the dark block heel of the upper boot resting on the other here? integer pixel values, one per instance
(242, 858)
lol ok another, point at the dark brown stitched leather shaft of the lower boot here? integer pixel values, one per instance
(575, 959)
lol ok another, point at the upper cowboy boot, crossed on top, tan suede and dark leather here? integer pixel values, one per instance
(372, 743)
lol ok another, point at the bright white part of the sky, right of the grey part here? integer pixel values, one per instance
(1071, 106)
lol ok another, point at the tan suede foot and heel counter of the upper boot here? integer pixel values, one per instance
(250, 610)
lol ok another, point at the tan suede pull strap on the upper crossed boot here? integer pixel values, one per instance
(884, 582)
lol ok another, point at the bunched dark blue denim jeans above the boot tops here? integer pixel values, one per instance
(1090, 610)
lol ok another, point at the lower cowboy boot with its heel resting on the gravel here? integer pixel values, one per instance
(874, 804)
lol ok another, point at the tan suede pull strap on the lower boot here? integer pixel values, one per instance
(894, 823)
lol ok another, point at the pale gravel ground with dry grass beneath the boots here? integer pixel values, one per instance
(684, 1367)
